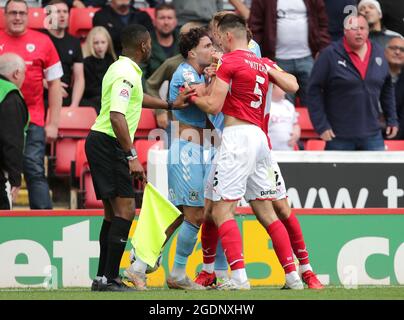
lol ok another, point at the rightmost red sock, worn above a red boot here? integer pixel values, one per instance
(296, 238)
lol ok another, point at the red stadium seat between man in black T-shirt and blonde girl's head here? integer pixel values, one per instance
(81, 21)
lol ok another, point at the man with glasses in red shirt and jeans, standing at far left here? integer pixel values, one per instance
(42, 62)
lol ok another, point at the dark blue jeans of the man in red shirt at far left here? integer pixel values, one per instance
(34, 171)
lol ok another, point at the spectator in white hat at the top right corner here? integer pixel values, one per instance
(372, 11)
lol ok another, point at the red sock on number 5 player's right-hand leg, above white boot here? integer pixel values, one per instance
(282, 246)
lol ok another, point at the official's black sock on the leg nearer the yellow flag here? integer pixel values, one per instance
(117, 237)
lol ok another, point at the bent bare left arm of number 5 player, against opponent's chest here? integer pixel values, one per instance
(214, 102)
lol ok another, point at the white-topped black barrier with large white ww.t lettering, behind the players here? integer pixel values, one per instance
(325, 179)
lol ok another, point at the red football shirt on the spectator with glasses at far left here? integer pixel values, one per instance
(42, 62)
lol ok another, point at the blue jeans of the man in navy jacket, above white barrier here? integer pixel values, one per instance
(372, 143)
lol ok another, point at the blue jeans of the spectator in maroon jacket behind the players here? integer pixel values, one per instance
(301, 69)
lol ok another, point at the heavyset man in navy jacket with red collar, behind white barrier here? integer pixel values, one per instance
(348, 80)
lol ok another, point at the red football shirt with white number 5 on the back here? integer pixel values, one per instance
(248, 79)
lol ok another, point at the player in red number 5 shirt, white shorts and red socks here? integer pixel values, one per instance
(243, 162)
